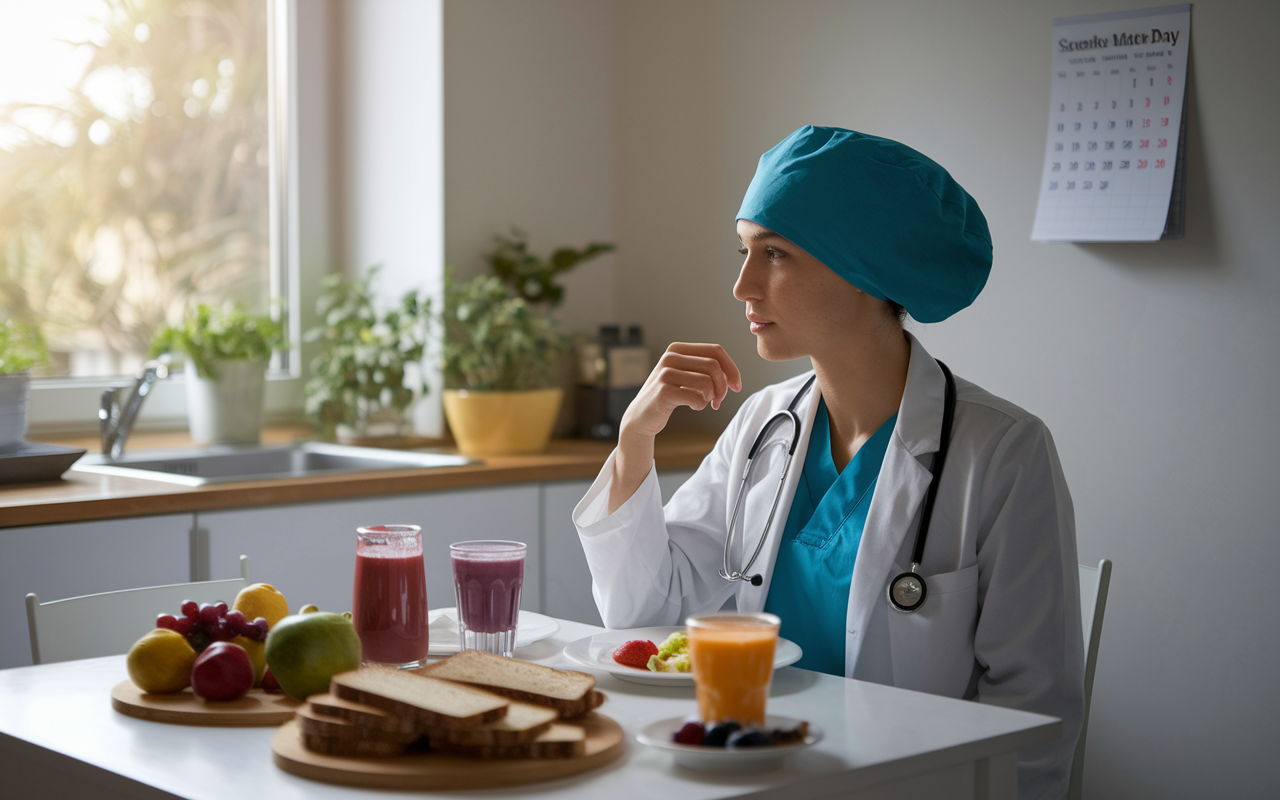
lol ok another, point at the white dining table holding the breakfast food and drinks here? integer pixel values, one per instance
(61, 738)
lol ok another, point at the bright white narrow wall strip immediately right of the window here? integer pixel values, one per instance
(391, 153)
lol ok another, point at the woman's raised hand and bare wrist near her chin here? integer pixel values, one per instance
(693, 376)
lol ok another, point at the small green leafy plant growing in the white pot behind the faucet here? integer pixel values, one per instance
(223, 333)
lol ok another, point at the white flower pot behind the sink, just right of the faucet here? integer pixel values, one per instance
(228, 408)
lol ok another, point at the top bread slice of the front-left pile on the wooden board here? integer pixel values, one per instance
(429, 702)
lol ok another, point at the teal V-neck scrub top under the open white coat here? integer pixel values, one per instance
(820, 545)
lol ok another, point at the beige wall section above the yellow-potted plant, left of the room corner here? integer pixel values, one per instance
(529, 97)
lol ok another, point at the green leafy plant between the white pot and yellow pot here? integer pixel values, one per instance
(363, 355)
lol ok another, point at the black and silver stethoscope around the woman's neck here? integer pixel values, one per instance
(907, 592)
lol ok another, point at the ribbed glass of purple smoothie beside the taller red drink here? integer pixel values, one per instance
(487, 580)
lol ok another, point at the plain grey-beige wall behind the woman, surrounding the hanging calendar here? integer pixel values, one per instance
(1153, 364)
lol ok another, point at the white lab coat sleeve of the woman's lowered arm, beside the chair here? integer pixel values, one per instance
(1028, 639)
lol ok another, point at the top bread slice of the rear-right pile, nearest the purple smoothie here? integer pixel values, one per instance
(568, 692)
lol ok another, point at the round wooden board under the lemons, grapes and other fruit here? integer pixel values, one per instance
(255, 710)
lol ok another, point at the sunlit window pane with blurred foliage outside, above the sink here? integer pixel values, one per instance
(138, 175)
